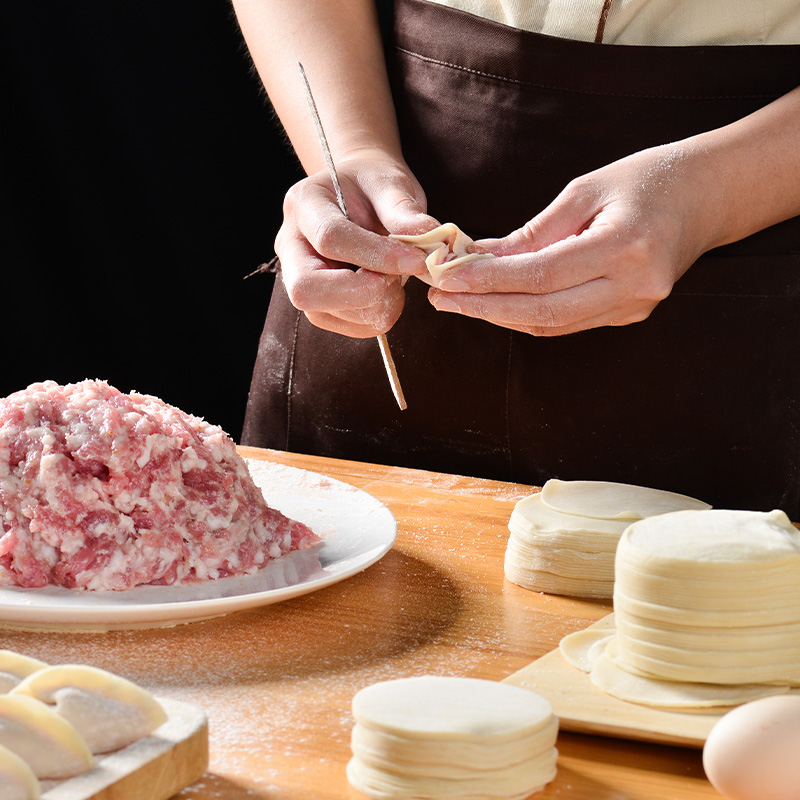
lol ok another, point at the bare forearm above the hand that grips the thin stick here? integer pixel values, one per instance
(340, 47)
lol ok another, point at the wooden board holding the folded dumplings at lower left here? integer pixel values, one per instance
(153, 768)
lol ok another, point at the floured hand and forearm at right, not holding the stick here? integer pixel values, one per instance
(610, 247)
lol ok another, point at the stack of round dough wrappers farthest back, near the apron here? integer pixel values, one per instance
(563, 539)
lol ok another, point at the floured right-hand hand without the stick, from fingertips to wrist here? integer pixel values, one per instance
(605, 252)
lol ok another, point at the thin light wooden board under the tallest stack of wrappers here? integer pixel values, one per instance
(583, 708)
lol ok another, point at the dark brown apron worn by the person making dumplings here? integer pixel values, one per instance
(703, 397)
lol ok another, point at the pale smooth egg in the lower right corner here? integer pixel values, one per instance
(753, 752)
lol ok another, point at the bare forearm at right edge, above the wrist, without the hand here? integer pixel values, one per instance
(751, 178)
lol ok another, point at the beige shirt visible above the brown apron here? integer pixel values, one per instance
(649, 22)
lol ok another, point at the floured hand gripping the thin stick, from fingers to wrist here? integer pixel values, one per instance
(345, 275)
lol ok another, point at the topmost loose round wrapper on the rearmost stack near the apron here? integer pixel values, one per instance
(606, 500)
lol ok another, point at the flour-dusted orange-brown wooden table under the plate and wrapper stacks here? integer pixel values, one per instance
(277, 682)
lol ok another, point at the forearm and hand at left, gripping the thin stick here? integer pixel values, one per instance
(345, 275)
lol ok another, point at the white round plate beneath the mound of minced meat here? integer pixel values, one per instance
(356, 530)
